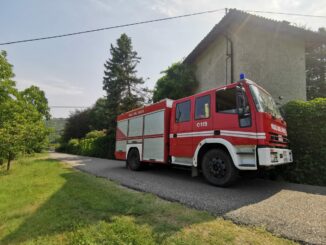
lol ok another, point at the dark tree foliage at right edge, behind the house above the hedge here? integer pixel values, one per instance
(316, 70)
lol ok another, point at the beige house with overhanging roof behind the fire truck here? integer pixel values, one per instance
(271, 53)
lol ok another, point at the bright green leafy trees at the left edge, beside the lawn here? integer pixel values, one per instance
(22, 126)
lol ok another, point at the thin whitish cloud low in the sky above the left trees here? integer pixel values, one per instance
(51, 86)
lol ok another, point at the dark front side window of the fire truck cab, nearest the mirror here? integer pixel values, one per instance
(226, 101)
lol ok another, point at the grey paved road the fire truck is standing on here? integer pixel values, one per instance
(294, 211)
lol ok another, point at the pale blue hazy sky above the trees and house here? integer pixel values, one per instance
(70, 69)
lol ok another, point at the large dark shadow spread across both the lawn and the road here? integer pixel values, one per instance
(98, 207)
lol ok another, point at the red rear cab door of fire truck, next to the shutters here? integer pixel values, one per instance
(181, 127)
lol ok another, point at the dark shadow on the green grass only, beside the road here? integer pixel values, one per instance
(84, 201)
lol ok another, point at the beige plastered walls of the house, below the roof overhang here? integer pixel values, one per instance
(275, 62)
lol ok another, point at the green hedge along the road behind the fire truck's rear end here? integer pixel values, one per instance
(95, 144)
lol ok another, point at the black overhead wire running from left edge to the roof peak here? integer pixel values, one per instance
(112, 27)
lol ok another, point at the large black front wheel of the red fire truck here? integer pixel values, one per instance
(218, 168)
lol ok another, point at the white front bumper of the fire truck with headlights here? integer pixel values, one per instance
(274, 156)
